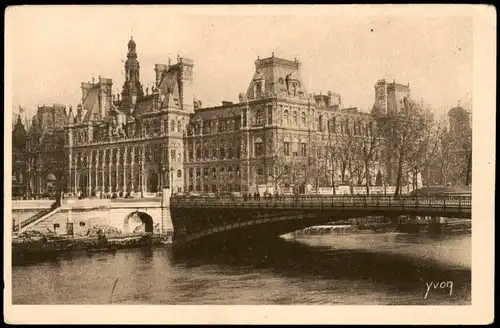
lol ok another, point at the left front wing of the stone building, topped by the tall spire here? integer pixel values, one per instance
(130, 144)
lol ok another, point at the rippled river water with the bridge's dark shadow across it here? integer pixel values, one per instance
(360, 269)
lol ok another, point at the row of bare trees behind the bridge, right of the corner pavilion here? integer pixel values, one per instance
(404, 146)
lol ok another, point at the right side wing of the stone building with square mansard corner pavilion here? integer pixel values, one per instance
(277, 136)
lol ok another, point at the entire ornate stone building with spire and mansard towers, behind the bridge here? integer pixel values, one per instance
(277, 136)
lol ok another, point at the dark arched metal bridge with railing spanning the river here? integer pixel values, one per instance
(198, 218)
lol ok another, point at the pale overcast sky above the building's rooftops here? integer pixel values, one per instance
(55, 48)
